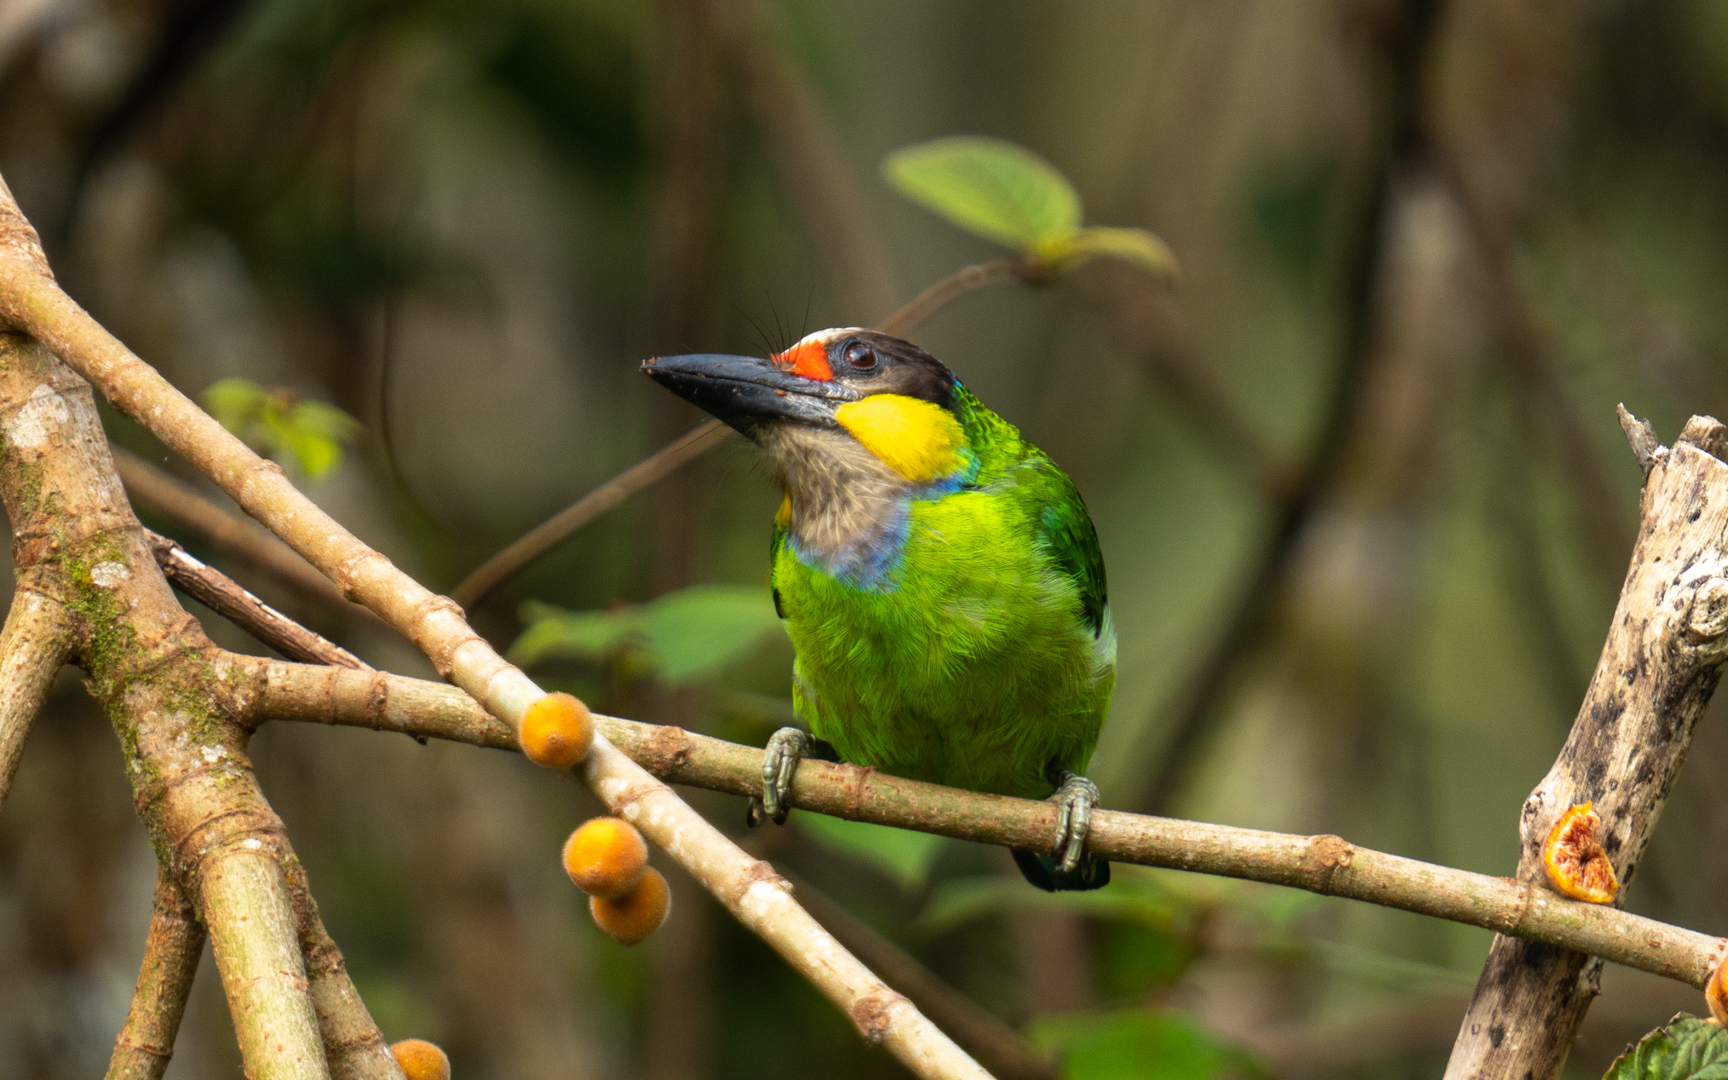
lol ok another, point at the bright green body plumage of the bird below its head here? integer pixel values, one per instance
(989, 656)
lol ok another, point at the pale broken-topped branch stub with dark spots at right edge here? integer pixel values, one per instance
(1658, 671)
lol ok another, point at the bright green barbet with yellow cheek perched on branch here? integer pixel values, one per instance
(939, 578)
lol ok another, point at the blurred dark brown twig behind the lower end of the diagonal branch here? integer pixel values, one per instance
(998, 1046)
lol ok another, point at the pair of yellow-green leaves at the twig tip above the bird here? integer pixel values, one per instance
(1008, 194)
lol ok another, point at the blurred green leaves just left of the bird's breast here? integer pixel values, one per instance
(683, 635)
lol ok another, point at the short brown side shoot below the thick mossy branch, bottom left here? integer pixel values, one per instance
(170, 960)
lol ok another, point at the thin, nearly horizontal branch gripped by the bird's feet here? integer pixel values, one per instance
(1323, 865)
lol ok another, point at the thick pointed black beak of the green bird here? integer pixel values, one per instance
(746, 391)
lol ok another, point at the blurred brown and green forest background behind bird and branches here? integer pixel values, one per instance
(1357, 476)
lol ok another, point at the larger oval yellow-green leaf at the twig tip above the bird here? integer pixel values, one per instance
(989, 187)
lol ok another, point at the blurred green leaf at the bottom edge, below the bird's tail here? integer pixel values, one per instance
(1138, 1045)
